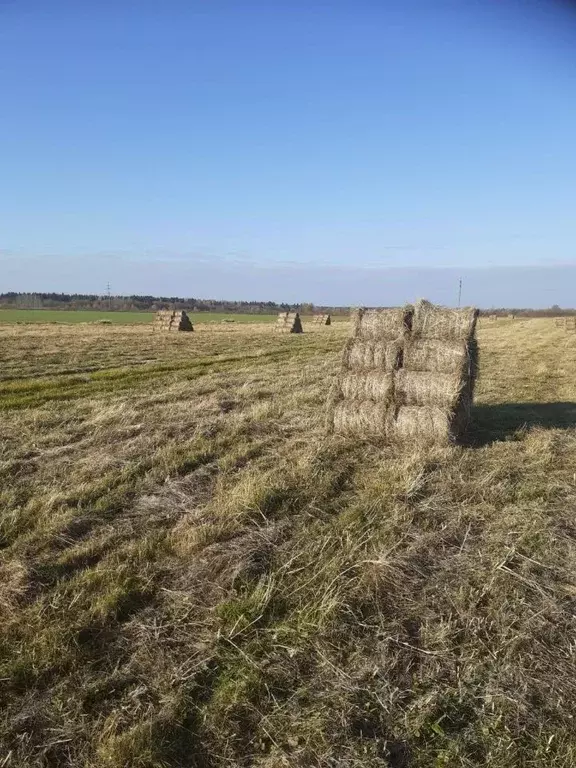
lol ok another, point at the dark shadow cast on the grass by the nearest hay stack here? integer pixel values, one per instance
(491, 423)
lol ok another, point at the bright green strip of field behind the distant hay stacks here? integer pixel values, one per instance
(43, 316)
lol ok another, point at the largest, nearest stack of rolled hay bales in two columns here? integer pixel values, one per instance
(407, 375)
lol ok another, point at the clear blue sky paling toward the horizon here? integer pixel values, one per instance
(337, 152)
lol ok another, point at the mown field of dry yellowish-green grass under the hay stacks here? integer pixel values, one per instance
(191, 575)
